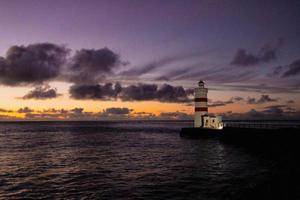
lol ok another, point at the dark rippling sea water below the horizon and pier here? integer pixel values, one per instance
(135, 160)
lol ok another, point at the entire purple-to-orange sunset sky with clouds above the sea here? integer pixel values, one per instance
(131, 59)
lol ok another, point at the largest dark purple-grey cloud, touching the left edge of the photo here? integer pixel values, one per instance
(32, 64)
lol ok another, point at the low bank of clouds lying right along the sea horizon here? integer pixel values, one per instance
(117, 113)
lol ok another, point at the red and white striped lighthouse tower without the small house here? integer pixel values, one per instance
(200, 104)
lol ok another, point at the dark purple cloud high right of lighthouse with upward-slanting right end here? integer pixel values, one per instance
(266, 54)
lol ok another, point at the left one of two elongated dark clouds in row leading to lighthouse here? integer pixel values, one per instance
(95, 92)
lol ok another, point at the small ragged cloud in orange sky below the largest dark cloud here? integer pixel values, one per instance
(42, 93)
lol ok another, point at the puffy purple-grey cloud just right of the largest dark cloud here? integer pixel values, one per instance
(90, 66)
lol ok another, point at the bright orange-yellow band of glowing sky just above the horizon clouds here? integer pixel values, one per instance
(9, 100)
